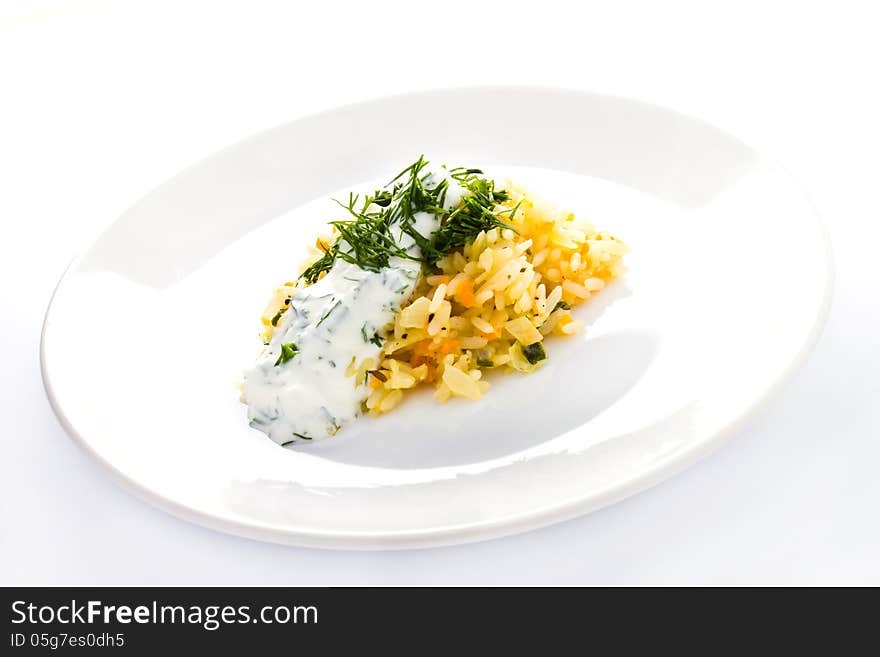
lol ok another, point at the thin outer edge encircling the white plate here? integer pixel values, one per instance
(474, 531)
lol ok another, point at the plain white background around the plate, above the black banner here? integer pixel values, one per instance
(101, 101)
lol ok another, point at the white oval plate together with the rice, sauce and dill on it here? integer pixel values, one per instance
(428, 289)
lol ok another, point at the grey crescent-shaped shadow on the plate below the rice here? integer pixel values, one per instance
(582, 379)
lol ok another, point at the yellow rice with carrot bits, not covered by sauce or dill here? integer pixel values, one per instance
(484, 303)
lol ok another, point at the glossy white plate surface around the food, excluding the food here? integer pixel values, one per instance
(729, 284)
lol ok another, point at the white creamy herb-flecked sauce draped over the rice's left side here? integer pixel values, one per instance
(333, 323)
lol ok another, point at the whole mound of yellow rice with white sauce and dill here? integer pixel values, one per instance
(438, 278)
